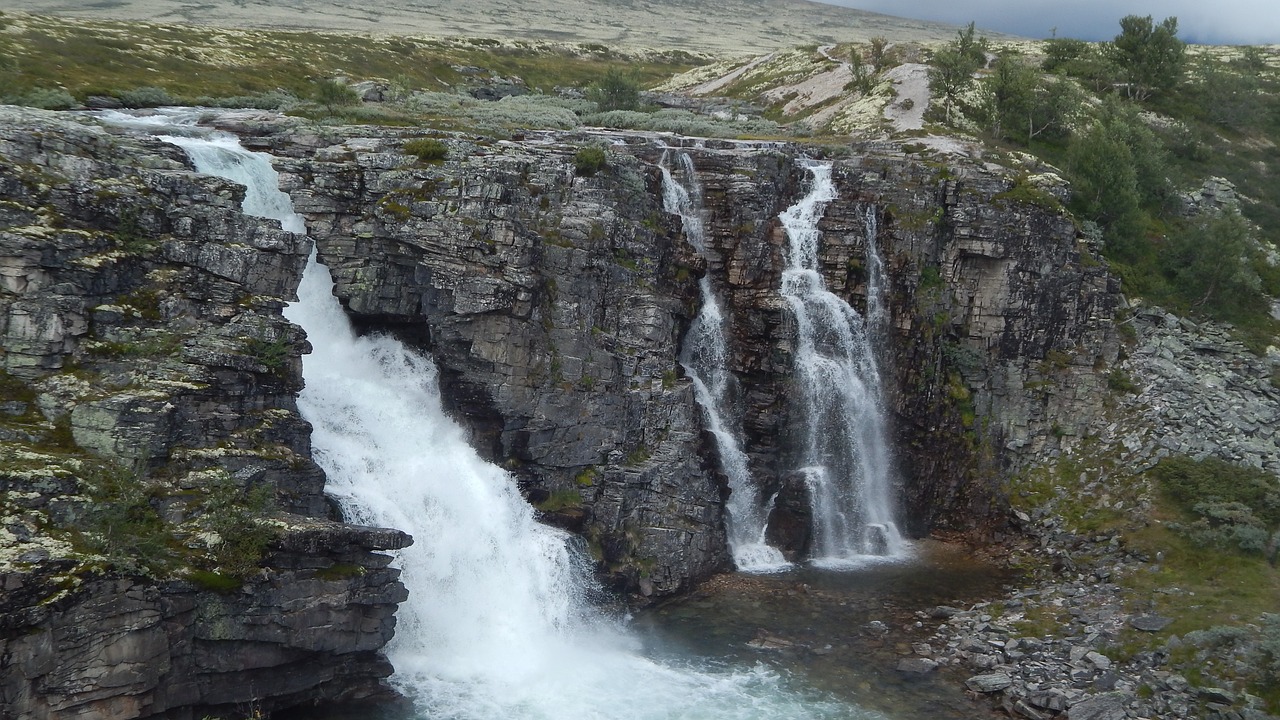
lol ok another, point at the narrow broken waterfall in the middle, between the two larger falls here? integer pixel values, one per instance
(706, 361)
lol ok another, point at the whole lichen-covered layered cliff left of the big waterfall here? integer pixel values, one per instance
(149, 390)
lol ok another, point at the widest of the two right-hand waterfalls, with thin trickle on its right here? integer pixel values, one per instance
(845, 459)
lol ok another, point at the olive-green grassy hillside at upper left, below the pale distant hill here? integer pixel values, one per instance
(106, 58)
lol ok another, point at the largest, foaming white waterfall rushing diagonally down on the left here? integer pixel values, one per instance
(496, 625)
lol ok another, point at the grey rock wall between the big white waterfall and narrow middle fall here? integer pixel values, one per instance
(554, 304)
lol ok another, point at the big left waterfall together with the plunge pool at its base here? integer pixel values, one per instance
(500, 622)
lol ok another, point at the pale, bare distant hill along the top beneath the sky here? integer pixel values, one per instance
(707, 26)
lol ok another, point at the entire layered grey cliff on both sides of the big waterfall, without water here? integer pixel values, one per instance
(145, 357)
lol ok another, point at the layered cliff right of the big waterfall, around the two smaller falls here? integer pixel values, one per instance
(556, 303)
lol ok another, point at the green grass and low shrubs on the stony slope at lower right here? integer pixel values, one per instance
(1209, 589)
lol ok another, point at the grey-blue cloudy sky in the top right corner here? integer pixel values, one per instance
(1235, 22)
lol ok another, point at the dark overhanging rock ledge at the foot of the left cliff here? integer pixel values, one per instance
(308, 630)
